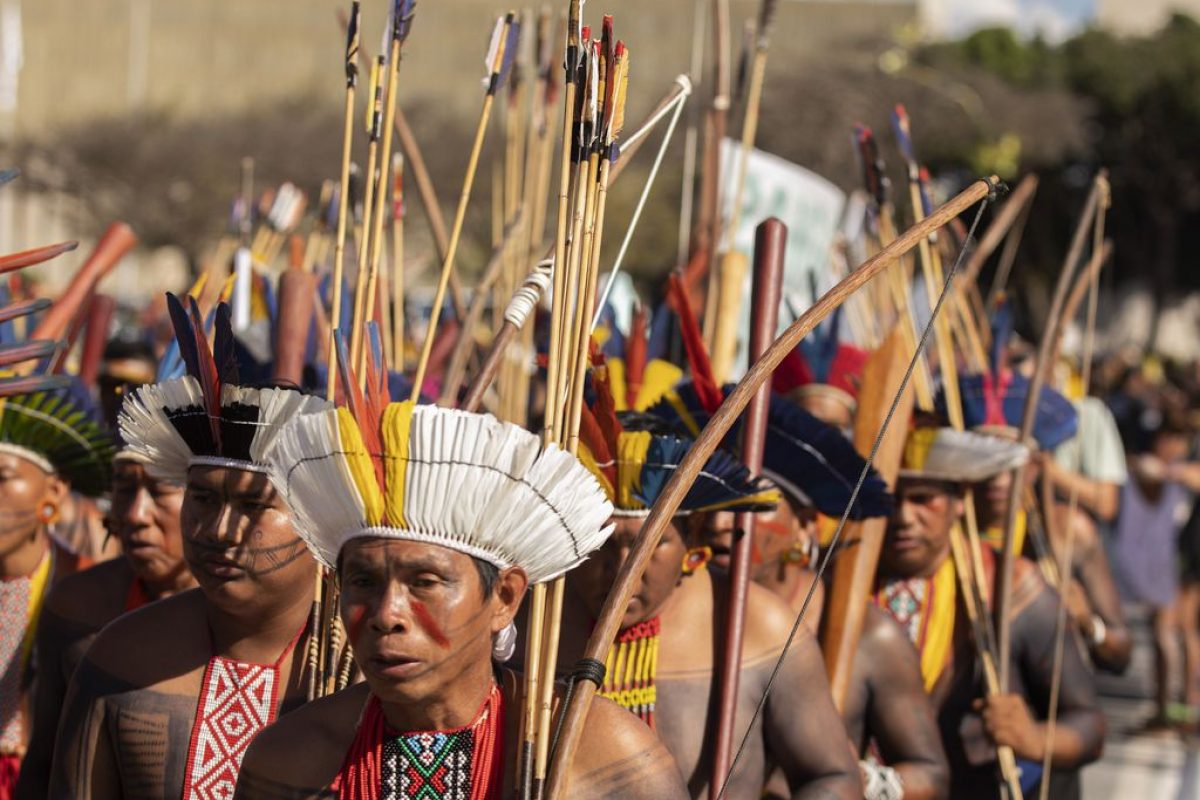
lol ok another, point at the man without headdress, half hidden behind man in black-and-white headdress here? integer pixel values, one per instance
(145, 519)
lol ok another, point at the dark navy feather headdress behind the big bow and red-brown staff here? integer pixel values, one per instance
(808, 459)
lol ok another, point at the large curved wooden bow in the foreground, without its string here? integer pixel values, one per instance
(628, 578)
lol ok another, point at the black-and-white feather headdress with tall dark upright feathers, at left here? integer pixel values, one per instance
(207, 417)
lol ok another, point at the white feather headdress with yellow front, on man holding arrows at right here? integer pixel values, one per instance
(959, 456)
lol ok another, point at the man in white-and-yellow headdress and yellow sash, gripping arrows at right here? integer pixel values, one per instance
(920, 588)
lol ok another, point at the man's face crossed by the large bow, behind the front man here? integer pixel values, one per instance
(593, 580)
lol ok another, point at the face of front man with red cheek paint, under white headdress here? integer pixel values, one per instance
(418, 617)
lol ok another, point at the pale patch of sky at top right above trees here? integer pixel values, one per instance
(1055, 20)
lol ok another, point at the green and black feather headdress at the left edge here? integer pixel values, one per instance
(61, 432)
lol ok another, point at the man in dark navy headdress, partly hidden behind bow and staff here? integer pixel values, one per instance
(887, 714)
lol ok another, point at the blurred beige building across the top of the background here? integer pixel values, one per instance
(65, 62)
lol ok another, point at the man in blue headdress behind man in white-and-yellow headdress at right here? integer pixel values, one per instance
(997, 407)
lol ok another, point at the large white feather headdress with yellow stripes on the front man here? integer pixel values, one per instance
(464, 482)
